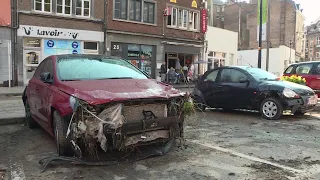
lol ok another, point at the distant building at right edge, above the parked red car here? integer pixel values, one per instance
(312, 46)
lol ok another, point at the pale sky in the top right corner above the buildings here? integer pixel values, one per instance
(310, 9)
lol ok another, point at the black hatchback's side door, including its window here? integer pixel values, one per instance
(236, 89)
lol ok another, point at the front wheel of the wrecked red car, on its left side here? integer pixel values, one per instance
(60, 127)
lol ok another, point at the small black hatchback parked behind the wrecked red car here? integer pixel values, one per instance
(240, 87)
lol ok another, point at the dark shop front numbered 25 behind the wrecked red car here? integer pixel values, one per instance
(140, 55)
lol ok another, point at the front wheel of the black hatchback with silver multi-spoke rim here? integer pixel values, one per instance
(271, 109)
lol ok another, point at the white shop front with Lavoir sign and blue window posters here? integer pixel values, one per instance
(41, 42)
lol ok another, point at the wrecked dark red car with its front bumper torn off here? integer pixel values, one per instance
(92, 102)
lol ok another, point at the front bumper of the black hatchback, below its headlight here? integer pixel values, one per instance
(300, 104)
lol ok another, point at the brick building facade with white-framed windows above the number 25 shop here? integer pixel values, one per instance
(148, 32)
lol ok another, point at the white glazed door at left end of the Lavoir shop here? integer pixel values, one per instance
(31, 60)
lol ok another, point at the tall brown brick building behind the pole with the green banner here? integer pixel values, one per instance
(286, 24)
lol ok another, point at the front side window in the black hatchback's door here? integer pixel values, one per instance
(232, 76)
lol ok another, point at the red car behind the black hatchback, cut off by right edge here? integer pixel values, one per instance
(308, 70)
